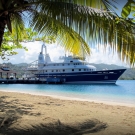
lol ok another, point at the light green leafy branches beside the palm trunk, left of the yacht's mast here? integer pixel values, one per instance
(11, 42)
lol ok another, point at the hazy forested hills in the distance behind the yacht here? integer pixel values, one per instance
(129, 74)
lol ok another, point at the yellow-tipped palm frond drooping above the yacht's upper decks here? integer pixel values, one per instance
(65, 36)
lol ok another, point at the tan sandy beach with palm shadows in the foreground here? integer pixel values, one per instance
(26, 114)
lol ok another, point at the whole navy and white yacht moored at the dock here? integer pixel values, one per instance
(71, 70)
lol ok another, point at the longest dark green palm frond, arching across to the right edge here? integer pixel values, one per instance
(93, 25)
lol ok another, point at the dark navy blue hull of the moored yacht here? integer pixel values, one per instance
(94, 77)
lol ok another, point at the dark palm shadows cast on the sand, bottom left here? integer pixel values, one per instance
(11, 113)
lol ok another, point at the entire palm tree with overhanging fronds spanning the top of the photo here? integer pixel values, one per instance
(76, 24)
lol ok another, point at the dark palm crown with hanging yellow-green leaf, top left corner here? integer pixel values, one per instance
(11, 15)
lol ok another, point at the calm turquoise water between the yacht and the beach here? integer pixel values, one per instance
(122, 91)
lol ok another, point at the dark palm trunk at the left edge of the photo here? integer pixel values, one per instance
(2, 28)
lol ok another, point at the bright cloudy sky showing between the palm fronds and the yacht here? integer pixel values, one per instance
(97, 56)
